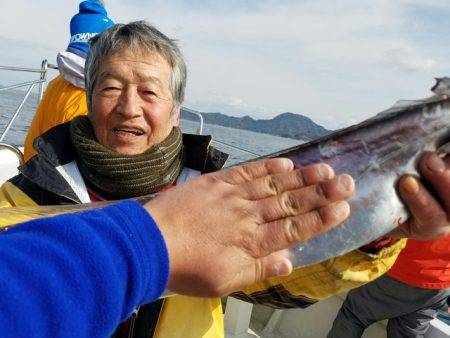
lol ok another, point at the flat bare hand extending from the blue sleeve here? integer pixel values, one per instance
(230, 229)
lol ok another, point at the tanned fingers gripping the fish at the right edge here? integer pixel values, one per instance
(430, 217)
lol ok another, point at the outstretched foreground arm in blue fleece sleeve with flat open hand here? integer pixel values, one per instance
(83, 274)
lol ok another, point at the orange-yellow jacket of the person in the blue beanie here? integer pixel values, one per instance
(61, 103)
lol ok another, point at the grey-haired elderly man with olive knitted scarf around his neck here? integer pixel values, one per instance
(129, 146)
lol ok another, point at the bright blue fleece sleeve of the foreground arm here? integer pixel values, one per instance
(80, 275)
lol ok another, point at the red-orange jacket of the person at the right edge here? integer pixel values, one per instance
(424, 264)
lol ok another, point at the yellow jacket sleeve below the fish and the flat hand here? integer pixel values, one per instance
(310, 284)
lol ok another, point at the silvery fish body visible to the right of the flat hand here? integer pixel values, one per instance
(376, 153)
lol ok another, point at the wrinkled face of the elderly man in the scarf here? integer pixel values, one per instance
(132, 102)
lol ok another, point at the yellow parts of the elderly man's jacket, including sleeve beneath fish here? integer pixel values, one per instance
(188, 317)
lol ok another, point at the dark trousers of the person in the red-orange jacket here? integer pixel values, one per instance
(408, 308)
